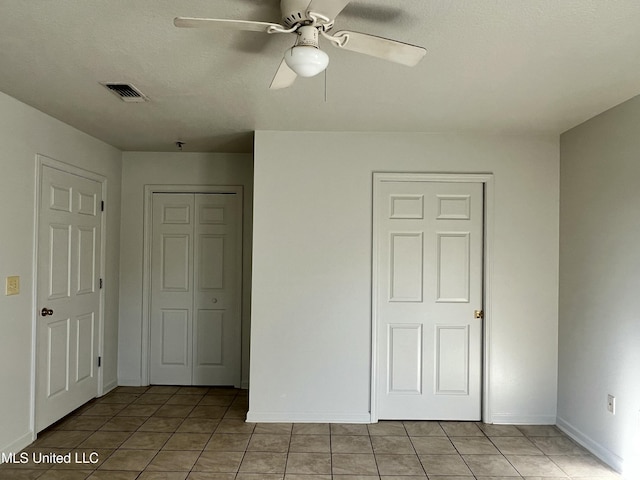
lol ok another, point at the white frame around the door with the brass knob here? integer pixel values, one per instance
(487, 180)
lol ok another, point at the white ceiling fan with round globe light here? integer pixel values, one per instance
(310, 19)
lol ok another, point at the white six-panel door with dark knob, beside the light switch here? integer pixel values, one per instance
(68, 294)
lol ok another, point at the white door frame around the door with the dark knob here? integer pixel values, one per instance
(41, 162)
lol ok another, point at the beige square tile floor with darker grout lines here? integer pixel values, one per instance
(197, 433)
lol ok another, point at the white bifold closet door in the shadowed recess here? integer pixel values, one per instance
(195, 327)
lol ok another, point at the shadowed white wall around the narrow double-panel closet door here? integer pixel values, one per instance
(150, 168)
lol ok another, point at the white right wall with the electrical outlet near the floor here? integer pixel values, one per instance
(599, 283)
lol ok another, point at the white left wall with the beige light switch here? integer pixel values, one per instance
(25, 132)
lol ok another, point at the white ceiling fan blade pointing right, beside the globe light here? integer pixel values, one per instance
(380, 47)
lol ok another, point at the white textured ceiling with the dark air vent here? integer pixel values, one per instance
(501, 66)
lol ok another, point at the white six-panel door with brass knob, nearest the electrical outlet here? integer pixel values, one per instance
(428, 270)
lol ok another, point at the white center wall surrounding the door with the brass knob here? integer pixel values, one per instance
(310, 337)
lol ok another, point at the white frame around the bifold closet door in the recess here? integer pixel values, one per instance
(149, 190)
